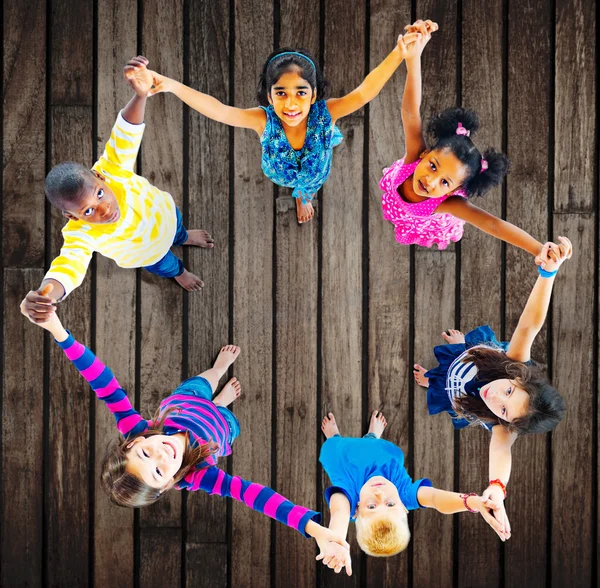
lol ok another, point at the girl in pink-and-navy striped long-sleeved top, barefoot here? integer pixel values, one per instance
(180, 446)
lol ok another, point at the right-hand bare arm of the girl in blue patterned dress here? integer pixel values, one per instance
(374, 82)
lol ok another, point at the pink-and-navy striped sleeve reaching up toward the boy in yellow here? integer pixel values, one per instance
(106, 387)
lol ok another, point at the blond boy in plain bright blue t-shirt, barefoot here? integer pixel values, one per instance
(370, 486)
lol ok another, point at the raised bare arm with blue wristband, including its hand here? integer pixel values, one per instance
(536, 309)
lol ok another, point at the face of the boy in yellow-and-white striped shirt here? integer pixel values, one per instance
(95, 204)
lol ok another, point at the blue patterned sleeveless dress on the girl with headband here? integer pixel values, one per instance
(307, 169)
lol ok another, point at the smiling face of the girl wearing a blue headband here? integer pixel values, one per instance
(291, 97)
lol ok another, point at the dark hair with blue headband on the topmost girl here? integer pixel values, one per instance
(273, 70)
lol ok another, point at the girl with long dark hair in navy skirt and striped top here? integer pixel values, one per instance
(480, 380)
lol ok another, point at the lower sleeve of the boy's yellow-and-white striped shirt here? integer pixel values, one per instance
(70, 267)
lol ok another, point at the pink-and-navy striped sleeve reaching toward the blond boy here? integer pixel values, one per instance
(255, 496)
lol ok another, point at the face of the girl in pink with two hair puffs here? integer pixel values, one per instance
(438, 173)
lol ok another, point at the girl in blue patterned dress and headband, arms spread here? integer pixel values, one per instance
(295, 121)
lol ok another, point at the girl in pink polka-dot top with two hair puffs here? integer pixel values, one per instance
(426, 193)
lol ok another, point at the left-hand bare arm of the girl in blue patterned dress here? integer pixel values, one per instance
(249, 118)
